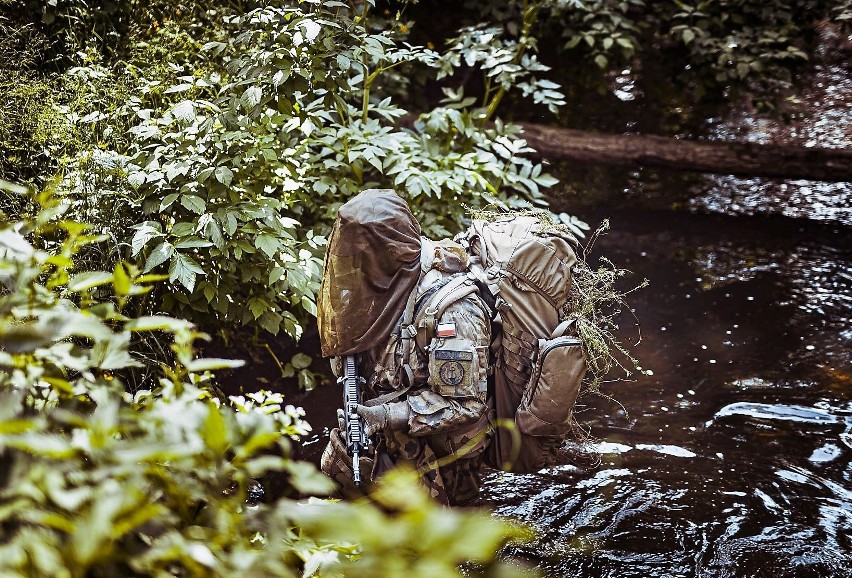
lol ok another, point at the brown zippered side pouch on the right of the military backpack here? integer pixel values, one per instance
(548, 401)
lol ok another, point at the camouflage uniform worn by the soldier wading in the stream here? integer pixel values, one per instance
(449, 413)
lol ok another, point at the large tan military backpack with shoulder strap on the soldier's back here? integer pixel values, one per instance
(522, 268)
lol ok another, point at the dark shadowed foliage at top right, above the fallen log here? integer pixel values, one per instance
(680, 52)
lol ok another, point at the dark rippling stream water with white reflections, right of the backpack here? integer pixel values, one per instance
(734, 459)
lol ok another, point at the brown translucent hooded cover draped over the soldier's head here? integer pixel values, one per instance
(371, 266)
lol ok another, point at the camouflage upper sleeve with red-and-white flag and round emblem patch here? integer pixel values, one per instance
(457, 378)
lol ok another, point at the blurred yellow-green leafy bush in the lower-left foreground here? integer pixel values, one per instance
(99, 481)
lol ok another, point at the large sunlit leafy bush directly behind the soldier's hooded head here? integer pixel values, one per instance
(245, 180)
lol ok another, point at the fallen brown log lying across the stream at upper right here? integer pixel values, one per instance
(725, 158)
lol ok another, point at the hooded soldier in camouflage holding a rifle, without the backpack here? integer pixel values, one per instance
(434, 413)
